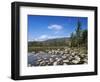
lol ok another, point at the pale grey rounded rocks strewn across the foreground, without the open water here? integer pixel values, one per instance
(66, 56)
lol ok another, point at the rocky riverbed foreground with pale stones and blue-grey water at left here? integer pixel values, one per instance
(53, 57)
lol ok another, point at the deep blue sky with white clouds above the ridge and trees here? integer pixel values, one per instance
(48, 27)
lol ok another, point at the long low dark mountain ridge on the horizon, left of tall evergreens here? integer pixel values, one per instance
(50, 42)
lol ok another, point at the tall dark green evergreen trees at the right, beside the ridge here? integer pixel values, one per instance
(79, 37)
